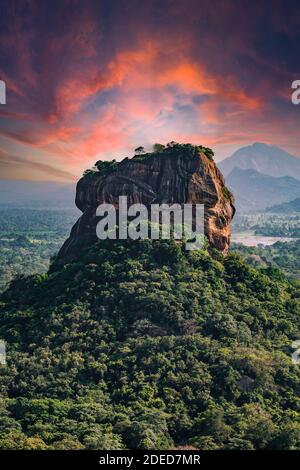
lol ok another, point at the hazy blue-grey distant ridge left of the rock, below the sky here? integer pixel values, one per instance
(36, 193)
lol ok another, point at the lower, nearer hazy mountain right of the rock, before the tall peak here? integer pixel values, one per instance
(256, 191)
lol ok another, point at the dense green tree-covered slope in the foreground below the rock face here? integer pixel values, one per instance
(142, 344)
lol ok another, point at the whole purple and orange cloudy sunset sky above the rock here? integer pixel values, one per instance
(93, 79)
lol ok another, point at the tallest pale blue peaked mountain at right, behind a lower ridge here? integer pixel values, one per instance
(263, 158)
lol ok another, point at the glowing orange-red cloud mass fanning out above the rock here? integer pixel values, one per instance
(91, 107)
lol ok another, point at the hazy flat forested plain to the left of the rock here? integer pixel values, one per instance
(28, 239)
